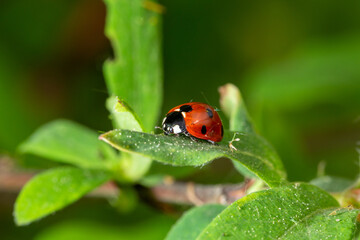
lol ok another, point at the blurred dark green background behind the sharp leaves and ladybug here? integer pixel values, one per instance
(297, 64)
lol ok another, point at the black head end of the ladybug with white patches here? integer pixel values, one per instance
(174, 123)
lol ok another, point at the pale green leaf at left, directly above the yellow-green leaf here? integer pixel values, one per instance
(69, 142)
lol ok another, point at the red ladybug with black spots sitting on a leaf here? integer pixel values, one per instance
(196, 120)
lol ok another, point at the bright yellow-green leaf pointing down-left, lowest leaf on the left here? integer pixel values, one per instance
(54, 189)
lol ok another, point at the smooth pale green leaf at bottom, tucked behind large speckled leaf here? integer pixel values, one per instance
(191, 224)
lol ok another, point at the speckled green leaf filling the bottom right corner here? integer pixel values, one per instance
(326, 224)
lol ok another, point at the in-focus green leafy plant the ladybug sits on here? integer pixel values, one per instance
(284, 210)
